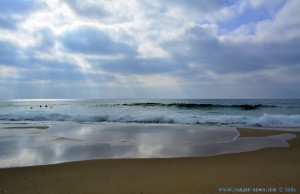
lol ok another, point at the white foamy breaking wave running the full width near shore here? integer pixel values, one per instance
(265, 120)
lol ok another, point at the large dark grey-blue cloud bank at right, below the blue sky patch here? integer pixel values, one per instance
(232, 57)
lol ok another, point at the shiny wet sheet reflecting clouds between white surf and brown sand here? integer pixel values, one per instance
(62, 143)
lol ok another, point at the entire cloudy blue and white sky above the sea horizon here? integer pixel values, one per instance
(149, 49)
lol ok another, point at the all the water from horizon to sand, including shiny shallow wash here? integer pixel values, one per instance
(38, 132)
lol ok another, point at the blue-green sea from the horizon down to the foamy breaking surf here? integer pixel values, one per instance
(221, 112)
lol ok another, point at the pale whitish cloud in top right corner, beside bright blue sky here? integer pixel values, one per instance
(284, 26)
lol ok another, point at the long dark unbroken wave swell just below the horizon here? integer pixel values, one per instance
(202, 106)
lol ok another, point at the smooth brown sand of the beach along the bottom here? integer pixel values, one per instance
(274, 168)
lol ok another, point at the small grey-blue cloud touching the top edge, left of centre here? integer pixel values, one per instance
(86, 9)
